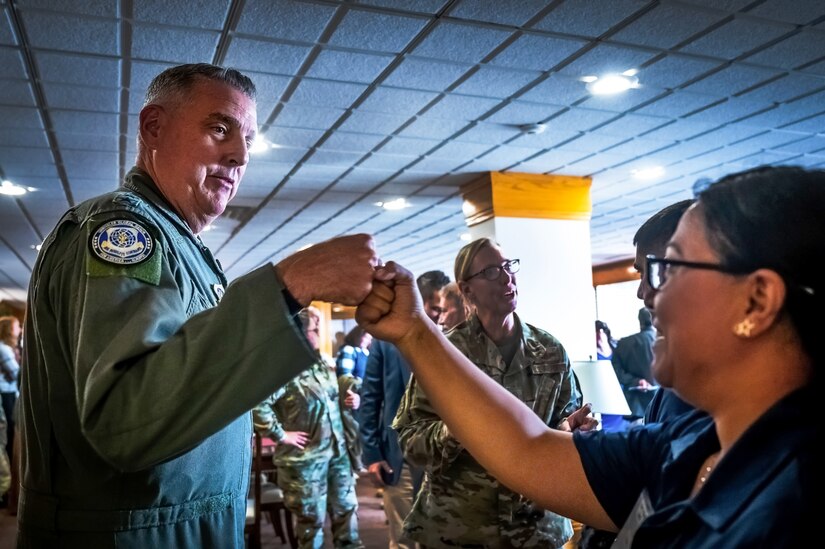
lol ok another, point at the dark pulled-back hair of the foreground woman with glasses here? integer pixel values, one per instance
(774, 218)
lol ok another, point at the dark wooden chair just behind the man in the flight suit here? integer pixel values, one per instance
(266, 498)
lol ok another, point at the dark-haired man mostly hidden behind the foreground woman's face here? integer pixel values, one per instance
(651, 239)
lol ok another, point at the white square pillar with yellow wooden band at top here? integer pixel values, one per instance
(543, 220)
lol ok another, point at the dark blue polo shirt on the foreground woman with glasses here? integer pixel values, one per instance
(761, 494)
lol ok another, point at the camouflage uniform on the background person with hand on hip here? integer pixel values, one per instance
(318, 478)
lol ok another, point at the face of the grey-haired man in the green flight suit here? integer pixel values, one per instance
(201, 150)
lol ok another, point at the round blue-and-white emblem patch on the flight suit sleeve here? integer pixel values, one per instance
(122, 242)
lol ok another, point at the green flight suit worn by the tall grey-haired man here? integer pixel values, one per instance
(138, 385)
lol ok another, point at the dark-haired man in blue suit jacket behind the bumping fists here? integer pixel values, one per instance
(385, 380)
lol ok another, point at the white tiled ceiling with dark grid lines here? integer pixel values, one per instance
(374, 99)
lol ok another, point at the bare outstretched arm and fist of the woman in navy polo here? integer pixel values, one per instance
(505, 436)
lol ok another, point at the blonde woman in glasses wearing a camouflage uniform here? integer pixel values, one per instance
(460, 503)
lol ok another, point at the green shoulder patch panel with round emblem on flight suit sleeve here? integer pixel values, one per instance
(123, 247)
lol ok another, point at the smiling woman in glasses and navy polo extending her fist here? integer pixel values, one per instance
(737, 303)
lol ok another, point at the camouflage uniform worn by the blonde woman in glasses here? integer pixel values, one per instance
(460, 504)
